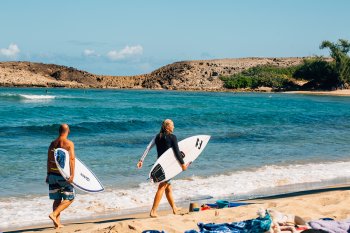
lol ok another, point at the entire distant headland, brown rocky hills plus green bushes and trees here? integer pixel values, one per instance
(239, 74)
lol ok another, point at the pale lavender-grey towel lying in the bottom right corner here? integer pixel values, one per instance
(331, 226)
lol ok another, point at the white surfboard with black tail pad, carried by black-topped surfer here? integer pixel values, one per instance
(167, 166)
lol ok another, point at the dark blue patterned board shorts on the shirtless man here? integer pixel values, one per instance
(59, 188)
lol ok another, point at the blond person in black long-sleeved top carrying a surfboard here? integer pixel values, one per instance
(164, 140)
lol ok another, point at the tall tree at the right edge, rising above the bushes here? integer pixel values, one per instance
(339, 52)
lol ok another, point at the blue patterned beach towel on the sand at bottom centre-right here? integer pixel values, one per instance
(257, 225)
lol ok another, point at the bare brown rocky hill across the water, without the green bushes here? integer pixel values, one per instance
(185, 75)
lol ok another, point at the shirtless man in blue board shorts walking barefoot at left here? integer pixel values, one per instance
(60, 190)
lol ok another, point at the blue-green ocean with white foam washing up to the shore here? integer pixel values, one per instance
(261, 144)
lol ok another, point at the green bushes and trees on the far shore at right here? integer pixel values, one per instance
(313, 73)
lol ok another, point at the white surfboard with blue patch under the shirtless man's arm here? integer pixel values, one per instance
(84, 179)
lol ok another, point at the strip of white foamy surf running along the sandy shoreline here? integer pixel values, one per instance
(30, 210)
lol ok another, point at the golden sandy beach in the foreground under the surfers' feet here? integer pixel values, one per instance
(310, 205)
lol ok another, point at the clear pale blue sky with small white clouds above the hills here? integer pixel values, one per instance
(115, 37)
